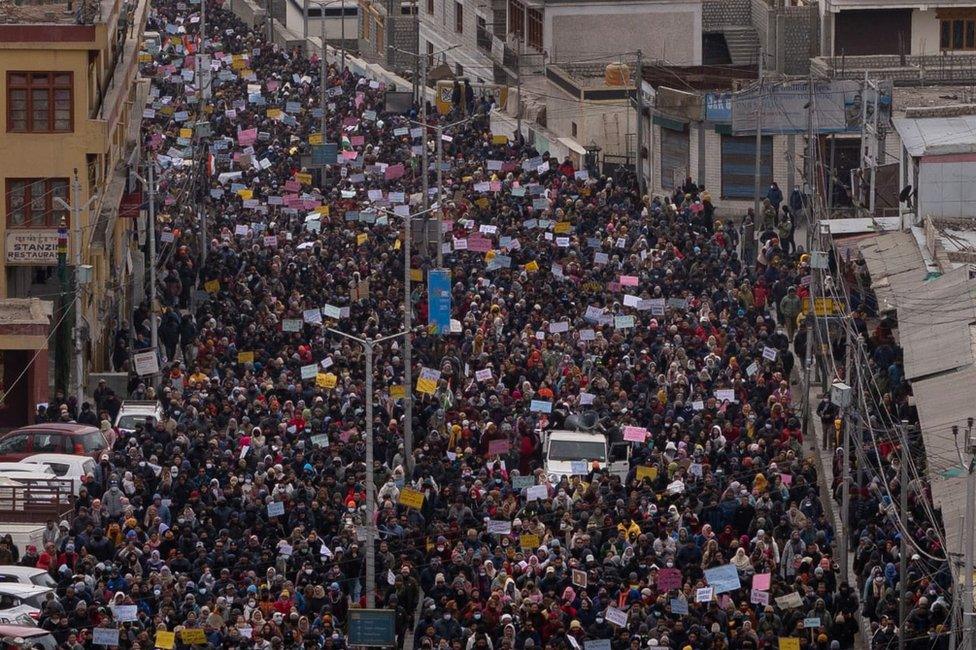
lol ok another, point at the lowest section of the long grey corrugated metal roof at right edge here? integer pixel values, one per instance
(944, 401)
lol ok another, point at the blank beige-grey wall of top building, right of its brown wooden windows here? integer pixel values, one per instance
(666, 32)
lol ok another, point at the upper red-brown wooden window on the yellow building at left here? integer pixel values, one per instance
(39, 102)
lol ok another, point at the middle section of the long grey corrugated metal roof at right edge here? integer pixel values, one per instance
(933, 323)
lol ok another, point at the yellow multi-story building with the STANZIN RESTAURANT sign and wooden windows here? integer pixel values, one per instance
(72, 104)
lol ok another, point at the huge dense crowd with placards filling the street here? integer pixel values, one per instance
(237, 520)
